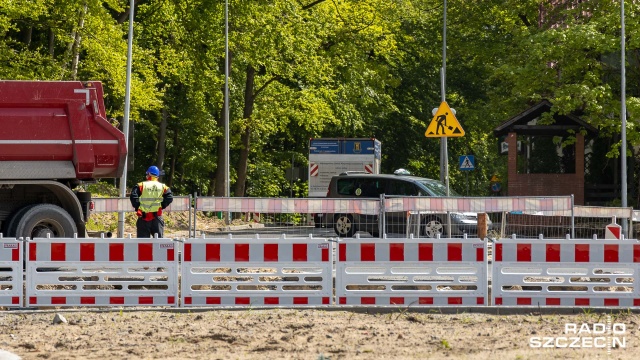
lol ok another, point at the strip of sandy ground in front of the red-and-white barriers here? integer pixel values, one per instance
(308, 334)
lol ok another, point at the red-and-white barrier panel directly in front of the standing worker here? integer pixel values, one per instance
(104, 272)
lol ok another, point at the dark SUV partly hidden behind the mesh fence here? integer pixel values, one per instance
(362, 186)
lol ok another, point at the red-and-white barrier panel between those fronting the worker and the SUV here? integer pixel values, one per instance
(256, 272)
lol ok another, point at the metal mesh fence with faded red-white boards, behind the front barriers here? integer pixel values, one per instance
(395, 217)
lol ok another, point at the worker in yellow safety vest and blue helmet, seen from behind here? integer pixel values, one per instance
(149, 198)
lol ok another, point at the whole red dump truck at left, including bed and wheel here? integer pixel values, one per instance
(54, 137)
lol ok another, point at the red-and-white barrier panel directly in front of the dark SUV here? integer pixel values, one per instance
(412, 272)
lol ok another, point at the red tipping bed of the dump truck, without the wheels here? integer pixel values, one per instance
(57, 130)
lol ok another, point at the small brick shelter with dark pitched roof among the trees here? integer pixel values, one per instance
(528, 125)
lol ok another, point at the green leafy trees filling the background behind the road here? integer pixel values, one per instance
(366, 68)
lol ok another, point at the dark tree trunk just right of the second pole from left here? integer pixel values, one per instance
(246, 135)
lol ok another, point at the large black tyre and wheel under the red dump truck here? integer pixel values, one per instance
(43, 219)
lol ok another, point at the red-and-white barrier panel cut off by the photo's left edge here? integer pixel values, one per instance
(11, 272)
